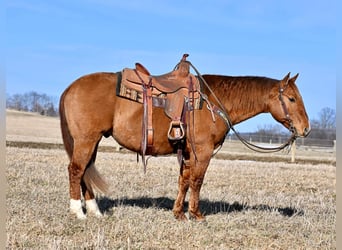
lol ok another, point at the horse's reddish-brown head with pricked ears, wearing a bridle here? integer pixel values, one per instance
(287, 107)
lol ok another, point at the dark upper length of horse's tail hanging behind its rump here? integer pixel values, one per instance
(68, 141)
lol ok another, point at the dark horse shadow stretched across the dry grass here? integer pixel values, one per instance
(207, 207)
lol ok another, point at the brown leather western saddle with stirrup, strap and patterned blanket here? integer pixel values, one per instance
(177, 92)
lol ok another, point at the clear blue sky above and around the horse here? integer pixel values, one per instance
(49, 44)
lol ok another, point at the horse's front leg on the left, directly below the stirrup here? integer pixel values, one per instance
(183, 186)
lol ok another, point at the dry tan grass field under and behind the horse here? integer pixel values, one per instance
(265, 203)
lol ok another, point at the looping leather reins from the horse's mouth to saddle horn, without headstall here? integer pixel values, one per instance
(224, 115)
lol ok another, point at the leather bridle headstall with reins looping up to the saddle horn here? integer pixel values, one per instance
(221, 112)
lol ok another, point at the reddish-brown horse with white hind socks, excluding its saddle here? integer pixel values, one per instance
(90, 109)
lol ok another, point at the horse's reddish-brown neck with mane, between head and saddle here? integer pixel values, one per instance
(244, 97)
